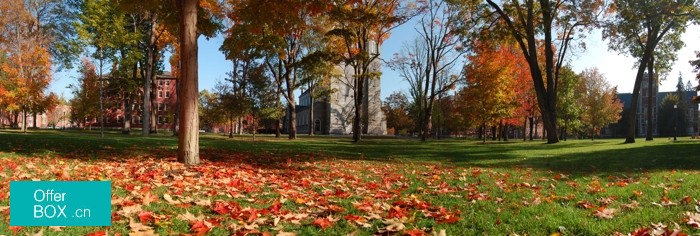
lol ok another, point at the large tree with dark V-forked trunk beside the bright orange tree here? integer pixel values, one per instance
(534, 25)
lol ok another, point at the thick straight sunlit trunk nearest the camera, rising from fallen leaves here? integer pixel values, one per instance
(188, 140)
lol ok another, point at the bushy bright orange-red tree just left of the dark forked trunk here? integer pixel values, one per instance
(498, 88)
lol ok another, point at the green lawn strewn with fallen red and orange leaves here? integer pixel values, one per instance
(330, 186)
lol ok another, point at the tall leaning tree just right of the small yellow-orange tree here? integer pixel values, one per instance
(639, 28)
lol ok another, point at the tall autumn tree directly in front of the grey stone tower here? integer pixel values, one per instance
(361, 27)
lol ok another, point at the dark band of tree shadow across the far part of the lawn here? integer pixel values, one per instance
(580, 157)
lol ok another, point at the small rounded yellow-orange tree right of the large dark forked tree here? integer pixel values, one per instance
(599, 100)
